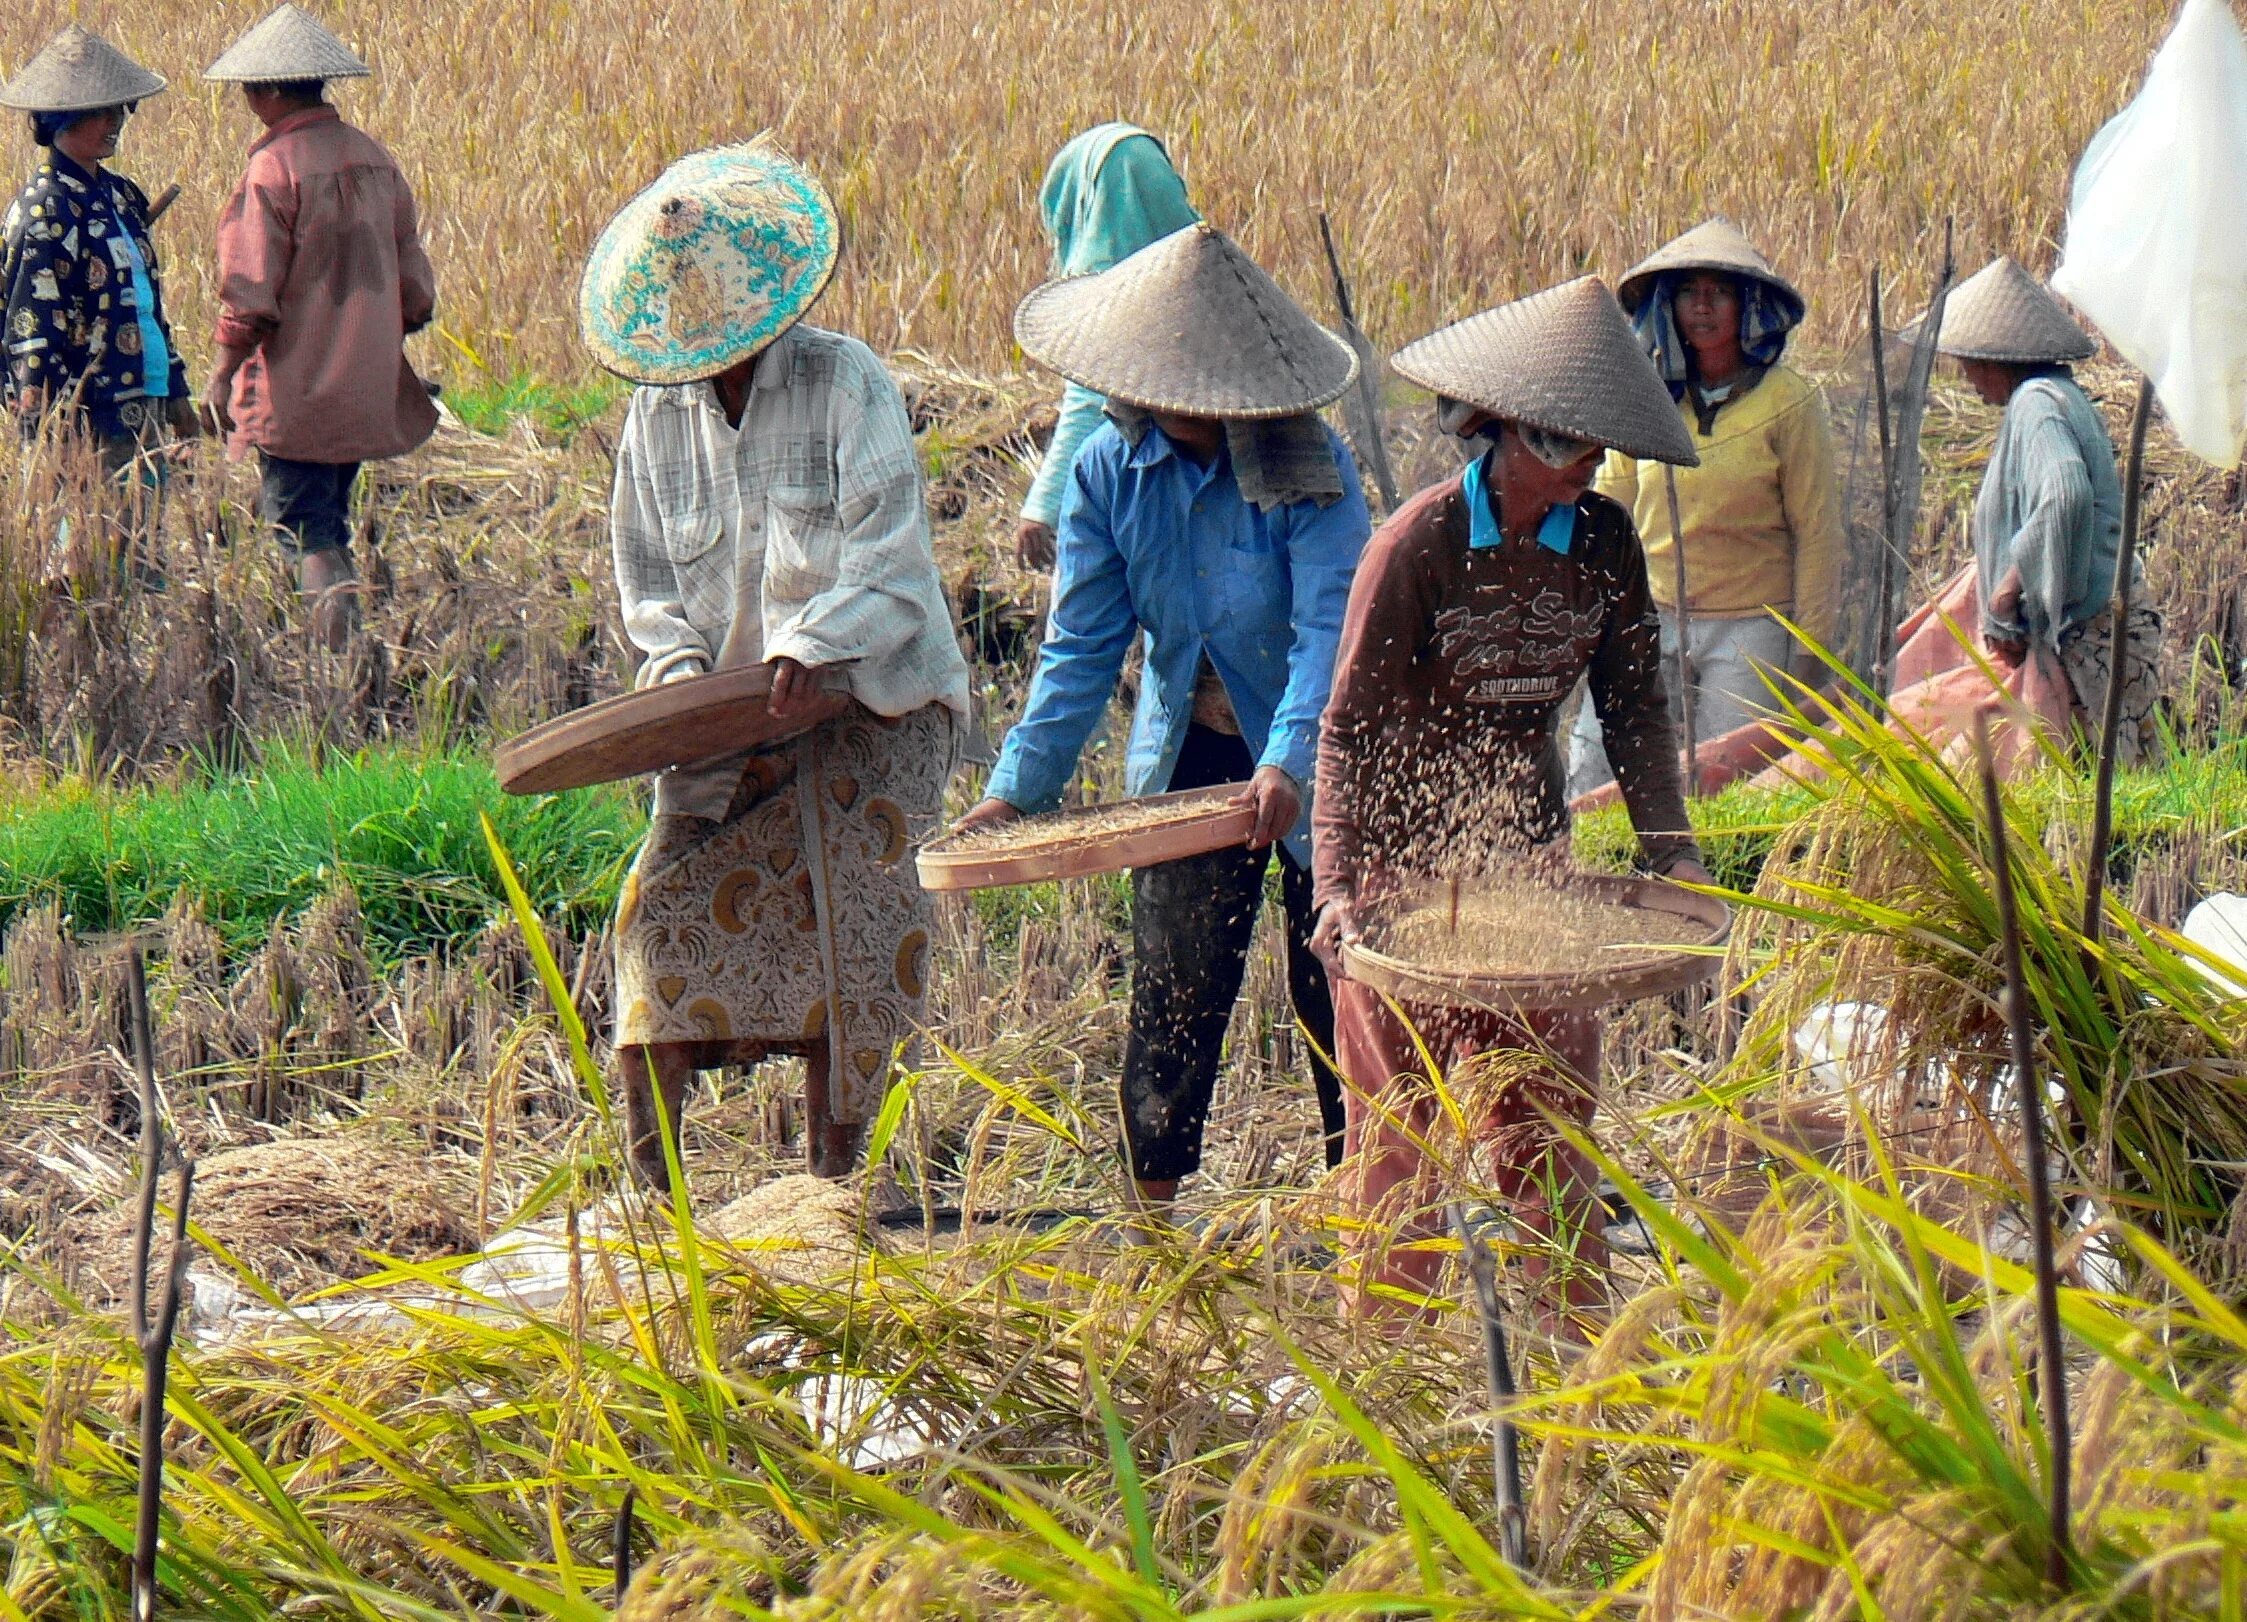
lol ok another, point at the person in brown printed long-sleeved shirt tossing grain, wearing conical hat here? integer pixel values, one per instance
(1477, 610)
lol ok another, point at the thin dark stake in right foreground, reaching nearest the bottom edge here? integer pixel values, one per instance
(2053, 1374)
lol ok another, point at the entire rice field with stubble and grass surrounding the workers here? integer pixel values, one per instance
(442, 1363)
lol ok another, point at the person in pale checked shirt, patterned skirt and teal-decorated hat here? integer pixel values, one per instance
(770, 509)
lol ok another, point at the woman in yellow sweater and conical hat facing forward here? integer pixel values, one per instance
(1761, 513)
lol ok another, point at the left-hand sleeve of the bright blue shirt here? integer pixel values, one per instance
(1086, 637)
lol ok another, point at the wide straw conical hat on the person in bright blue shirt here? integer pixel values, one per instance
(1188, 325)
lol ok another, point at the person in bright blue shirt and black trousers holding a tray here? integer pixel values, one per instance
(1217, 518)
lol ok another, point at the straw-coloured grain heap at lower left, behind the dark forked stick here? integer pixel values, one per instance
(302, 1214)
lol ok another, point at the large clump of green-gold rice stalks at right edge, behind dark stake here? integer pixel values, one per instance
(1882, 895)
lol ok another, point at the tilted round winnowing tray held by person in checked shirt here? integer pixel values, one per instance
(673, 725)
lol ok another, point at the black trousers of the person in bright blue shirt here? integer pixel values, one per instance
(1192, 927)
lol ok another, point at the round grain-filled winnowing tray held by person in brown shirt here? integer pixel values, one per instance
(1536, 945)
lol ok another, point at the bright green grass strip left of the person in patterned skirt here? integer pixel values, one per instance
(397, 826)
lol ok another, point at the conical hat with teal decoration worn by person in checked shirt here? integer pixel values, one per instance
(709, 266)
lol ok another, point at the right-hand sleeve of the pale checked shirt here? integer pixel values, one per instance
(877, 603)
